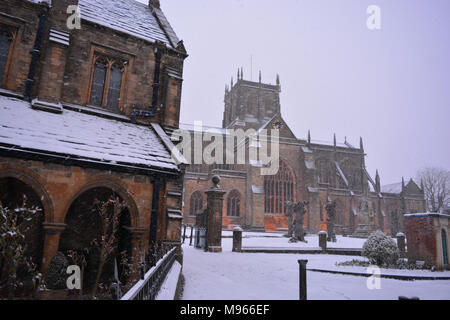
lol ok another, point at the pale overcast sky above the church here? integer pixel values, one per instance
(390, 86)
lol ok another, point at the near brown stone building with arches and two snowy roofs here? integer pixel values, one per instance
(82, 116)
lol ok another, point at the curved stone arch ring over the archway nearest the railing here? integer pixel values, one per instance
(116, 186)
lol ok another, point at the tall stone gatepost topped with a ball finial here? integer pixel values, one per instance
(214, 219)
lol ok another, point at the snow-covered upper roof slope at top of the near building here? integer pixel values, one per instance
(131, 17)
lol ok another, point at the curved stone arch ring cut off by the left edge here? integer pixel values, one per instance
(29, 177)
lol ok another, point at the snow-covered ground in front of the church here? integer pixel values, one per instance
(250, 276)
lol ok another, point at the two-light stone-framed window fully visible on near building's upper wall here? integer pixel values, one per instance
(106, 84)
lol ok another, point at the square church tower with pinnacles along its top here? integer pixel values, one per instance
(250, 104)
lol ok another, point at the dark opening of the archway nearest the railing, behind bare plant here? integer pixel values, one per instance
(84, 225)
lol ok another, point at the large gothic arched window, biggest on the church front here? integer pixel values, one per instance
(278, 189)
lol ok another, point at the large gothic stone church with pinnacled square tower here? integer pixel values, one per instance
(309, 170)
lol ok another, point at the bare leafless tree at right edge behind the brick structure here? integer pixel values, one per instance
(436, 185)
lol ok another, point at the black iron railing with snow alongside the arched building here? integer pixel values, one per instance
(148, 288)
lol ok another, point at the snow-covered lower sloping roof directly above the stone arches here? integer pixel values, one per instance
(81, 136)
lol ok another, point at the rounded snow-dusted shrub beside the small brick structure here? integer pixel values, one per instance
(380, 249)
